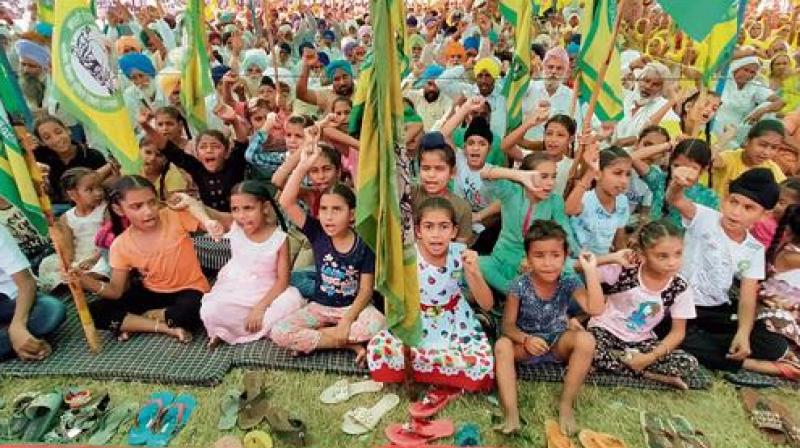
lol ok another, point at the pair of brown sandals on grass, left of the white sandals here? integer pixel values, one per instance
(256, 408)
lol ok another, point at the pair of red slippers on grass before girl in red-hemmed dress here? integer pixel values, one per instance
(421, 430)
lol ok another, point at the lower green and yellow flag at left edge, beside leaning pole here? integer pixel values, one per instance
(16, 182)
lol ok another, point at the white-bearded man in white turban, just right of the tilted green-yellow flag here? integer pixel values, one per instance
(644, 101)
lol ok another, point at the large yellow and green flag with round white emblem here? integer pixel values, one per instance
(85, 82)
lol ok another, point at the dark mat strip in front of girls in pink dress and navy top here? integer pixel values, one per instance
(265, 354)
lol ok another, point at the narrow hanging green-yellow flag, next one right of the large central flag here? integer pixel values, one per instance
(519, 13)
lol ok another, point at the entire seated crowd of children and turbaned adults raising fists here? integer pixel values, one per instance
(644, 248)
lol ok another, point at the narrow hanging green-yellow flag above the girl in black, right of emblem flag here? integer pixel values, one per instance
(196, 82)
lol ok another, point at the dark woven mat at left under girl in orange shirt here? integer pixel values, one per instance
(147, 358)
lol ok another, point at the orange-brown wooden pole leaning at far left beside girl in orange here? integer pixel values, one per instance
(56, 237)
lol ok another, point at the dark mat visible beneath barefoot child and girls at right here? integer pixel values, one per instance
(555, 372)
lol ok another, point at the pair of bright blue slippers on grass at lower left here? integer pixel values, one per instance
(161, 418)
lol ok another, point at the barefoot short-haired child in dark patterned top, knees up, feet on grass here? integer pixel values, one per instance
(535, 327)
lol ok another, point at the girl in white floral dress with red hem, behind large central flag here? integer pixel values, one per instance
(454, 351)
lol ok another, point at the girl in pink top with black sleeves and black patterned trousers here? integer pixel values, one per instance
(639, 295)
